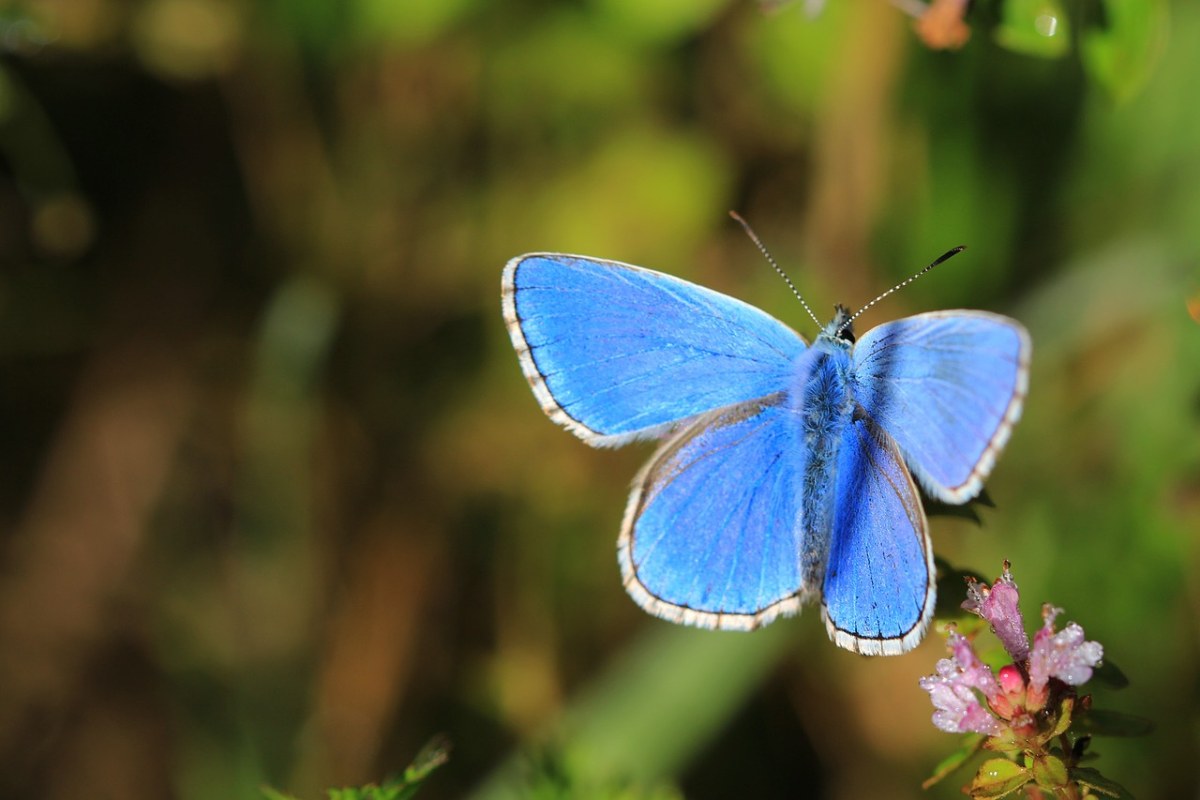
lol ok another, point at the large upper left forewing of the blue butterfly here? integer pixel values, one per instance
(616, 352)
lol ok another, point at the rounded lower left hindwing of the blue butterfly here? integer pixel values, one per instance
(711, 533)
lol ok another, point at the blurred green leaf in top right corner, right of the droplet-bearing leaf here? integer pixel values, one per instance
(1121, 55)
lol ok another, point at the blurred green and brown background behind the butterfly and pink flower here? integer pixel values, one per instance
(277, 506)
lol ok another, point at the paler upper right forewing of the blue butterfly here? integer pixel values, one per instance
(949, 387)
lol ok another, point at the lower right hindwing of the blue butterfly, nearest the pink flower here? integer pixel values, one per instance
(879, 590)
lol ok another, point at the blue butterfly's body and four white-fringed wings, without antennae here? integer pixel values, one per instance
(788, 472)
